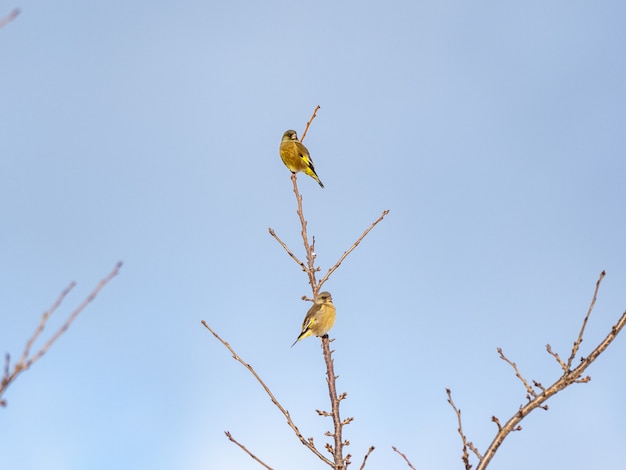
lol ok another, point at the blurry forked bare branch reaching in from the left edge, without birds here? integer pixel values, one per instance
(27, 360)
